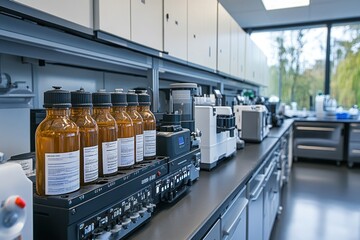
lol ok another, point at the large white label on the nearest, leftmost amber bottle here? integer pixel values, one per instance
(62, 172)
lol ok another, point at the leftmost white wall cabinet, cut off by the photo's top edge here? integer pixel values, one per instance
(79, 11)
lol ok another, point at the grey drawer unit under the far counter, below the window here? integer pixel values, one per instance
(320, 140)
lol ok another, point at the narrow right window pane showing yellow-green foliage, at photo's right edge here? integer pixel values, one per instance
(345, 62)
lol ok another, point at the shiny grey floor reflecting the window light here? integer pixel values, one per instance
(321, 201)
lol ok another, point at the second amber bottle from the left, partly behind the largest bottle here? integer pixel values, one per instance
(81, 102)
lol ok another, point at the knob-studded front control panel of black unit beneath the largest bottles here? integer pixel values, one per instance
(119, 219)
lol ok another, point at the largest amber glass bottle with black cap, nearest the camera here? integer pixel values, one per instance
(57, 147)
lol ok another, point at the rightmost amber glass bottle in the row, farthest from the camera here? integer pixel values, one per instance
(149, 125)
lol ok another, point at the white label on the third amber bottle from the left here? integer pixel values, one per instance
(110, 157)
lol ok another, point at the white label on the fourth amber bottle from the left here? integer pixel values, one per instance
(126, 151)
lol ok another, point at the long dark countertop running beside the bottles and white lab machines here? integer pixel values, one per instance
(192, 216)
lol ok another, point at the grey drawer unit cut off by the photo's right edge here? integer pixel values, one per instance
(354, 144)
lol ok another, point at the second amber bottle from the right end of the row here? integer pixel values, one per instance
(131, 109)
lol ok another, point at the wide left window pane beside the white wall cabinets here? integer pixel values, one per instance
(297, 63)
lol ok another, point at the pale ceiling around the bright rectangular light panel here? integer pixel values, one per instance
(251, 14)
